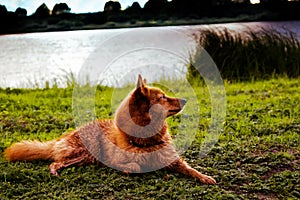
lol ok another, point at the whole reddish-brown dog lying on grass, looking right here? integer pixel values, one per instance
(135, 141)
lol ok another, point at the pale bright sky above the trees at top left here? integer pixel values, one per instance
(77, 6)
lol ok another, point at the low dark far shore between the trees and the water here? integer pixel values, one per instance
(71, 22)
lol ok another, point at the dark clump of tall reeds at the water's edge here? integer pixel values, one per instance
(258, 54)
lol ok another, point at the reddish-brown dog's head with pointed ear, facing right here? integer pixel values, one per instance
(146, 109)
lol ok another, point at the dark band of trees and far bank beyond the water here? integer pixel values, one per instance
(60, 16)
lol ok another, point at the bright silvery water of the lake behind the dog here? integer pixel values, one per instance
(111, 57)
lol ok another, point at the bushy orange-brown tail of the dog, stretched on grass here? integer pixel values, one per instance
(29, 150)
